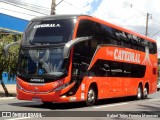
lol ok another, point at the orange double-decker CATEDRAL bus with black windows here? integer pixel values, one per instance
(70, 58)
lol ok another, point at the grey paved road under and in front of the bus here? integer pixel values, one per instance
(122, 105)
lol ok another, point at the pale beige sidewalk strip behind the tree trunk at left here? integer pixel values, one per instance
(10, 87)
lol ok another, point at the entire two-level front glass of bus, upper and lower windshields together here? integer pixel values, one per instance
(41, 53)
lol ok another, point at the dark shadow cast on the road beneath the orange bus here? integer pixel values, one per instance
(64, 106)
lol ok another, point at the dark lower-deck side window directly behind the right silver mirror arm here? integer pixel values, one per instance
(82, 56)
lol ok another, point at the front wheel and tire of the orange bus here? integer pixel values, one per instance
(91, 96)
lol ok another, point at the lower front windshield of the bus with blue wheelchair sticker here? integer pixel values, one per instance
(42, 62)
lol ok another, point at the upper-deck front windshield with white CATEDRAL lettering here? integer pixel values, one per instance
(48, 32)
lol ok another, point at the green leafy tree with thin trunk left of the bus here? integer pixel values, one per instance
(8, 63)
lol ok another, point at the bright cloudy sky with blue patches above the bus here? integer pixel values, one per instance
(130, 14)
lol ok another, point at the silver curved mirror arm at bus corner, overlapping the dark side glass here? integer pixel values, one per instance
(71, 43)
